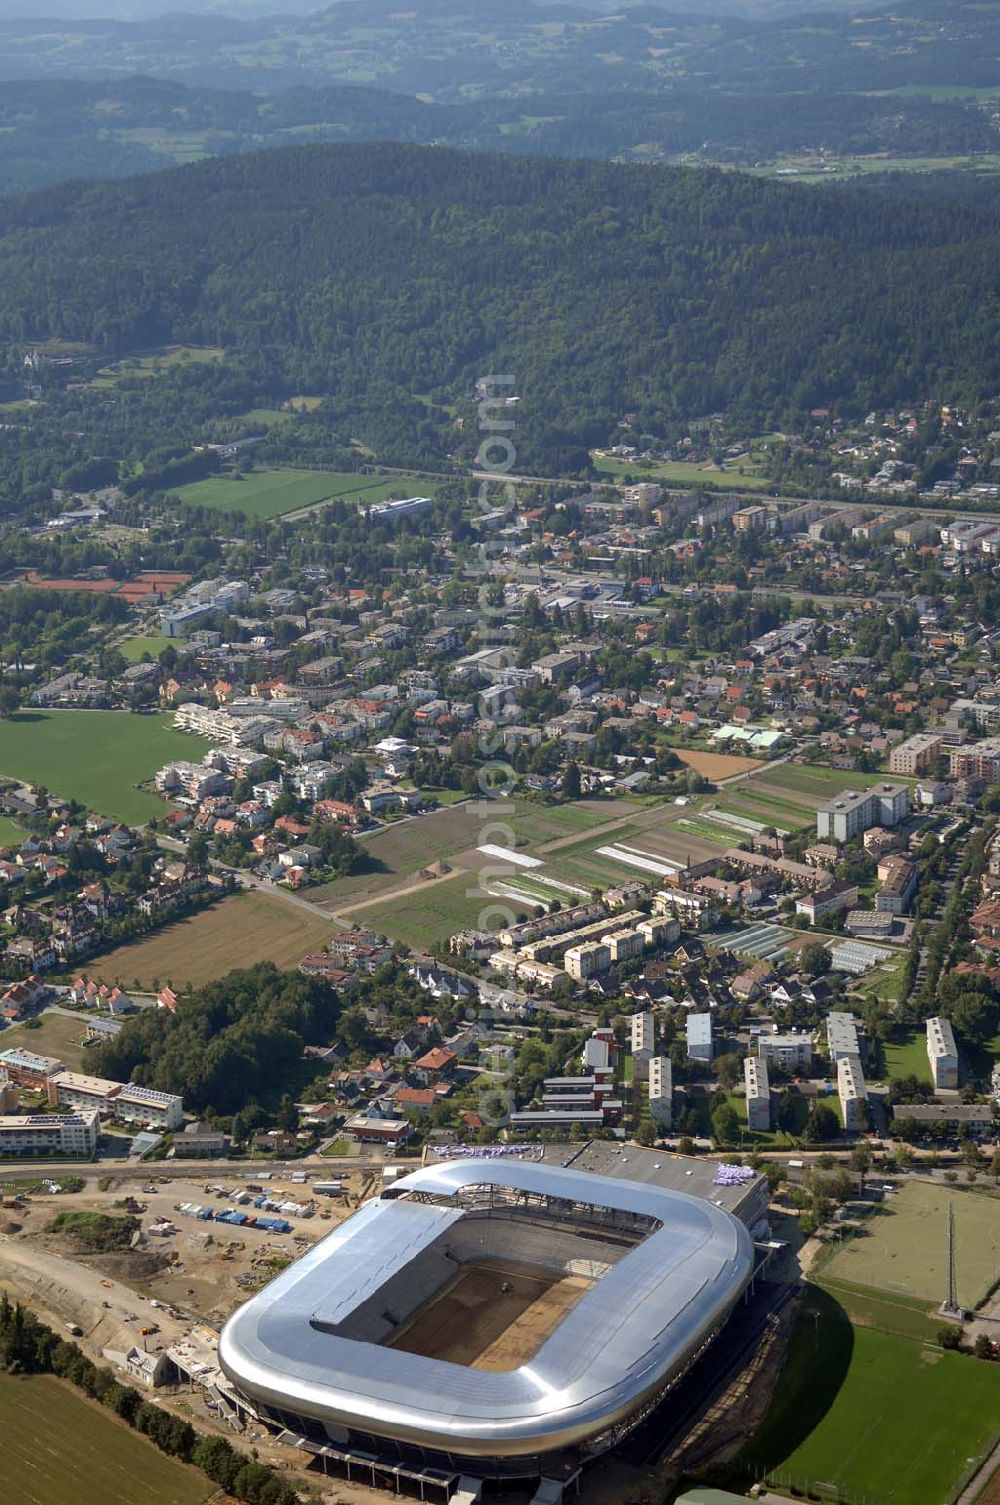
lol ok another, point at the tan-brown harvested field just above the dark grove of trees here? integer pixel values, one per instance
(237, 932)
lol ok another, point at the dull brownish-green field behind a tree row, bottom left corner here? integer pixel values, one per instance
(61, 1449)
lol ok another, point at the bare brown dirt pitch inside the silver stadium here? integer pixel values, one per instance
(495, 1316)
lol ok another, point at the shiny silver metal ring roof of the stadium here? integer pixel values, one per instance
(624, 1340)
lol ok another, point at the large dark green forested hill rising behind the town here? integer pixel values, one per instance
(602, 288)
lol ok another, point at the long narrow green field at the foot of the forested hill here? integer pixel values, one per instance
(276, 493)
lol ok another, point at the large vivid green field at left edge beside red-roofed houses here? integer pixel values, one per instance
(96, 756)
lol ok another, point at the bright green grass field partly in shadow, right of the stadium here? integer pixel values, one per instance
(873, 1415)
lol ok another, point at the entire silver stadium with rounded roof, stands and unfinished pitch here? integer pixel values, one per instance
(352, 1351)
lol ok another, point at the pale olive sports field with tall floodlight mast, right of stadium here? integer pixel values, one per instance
(904, 1245)
